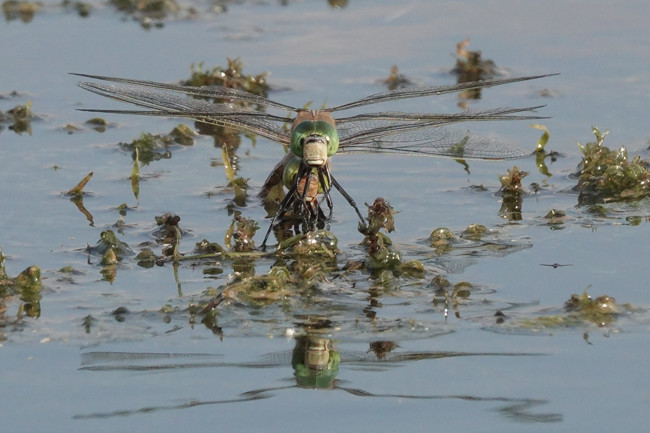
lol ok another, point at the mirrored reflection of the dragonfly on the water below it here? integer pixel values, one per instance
(315, 362)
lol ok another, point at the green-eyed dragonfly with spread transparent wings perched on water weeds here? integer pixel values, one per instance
(317, 135)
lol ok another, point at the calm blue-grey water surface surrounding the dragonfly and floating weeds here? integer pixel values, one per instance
(127, 353)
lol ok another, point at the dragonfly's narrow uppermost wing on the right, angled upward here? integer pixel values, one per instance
(431, 91)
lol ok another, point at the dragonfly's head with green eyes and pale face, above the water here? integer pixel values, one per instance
(314, 141)
